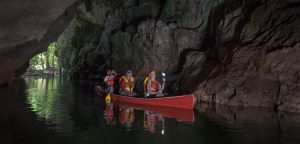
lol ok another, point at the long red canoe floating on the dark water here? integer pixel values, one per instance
(184, 101)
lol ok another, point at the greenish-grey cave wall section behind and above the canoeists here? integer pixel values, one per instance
(134, 34)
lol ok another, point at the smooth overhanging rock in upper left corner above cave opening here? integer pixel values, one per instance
(26, 29)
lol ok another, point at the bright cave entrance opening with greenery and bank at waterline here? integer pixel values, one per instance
(46, 63)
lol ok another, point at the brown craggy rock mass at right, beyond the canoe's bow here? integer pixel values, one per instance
(254, 51)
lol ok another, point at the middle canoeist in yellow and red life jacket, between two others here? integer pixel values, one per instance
(127, 84)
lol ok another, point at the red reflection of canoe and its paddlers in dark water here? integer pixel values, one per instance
(153, 117)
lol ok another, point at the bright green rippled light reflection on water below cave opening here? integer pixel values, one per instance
(45, 97)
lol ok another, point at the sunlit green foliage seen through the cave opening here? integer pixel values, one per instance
(47, 60)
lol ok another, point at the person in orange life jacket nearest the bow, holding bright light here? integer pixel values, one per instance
(152, 87)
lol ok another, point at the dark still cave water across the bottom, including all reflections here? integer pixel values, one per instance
(37, 110)
